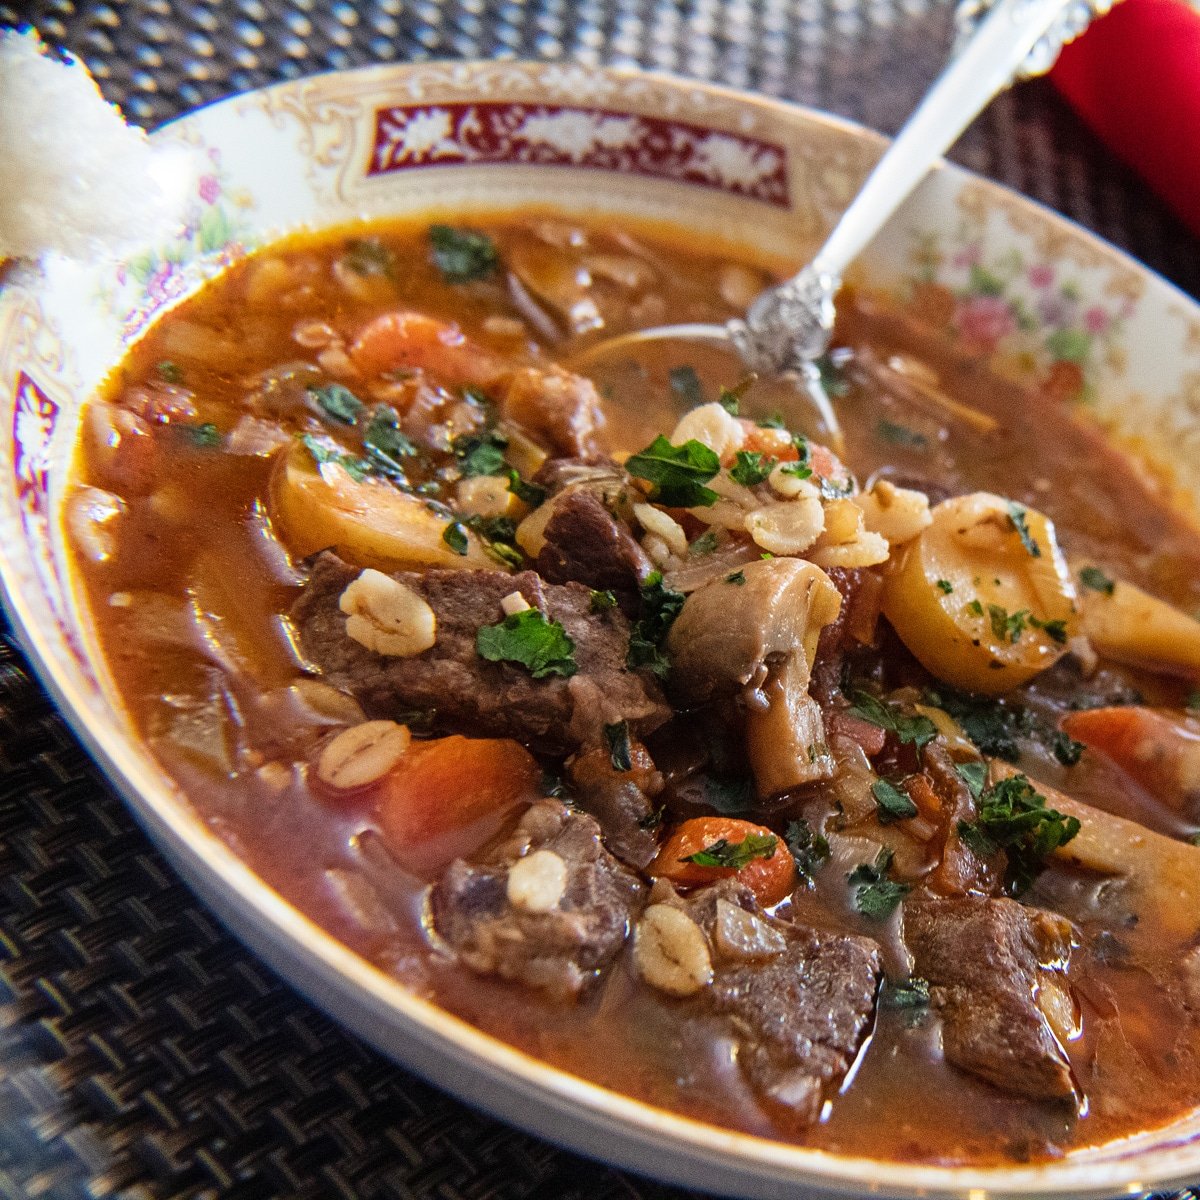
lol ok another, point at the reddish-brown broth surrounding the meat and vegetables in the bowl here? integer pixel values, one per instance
(197, 542)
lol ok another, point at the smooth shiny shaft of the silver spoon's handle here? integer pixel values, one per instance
(988, 63)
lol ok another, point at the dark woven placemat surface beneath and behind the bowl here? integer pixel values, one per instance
(143, 1053)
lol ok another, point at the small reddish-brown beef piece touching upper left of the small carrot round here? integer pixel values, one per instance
(622, 801)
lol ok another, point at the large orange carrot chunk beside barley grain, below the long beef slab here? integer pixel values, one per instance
(449, 784)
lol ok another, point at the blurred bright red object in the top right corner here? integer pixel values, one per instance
(1135, 77)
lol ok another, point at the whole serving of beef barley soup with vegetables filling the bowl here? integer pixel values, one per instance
(775, 782)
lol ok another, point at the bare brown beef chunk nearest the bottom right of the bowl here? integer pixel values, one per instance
(987, 962)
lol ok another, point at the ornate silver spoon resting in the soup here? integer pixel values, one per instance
(790, 326)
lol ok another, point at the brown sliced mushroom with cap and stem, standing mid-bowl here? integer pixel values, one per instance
(758, 638)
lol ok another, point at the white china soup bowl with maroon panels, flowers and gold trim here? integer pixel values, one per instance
(1047, 302)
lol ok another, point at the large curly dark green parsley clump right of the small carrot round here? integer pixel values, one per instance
(1013, 817)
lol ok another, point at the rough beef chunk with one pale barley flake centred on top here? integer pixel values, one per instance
(562, 947)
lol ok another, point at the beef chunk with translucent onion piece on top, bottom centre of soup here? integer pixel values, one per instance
(800, 1001)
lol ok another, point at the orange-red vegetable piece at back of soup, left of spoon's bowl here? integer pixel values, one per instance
(411, 341)
